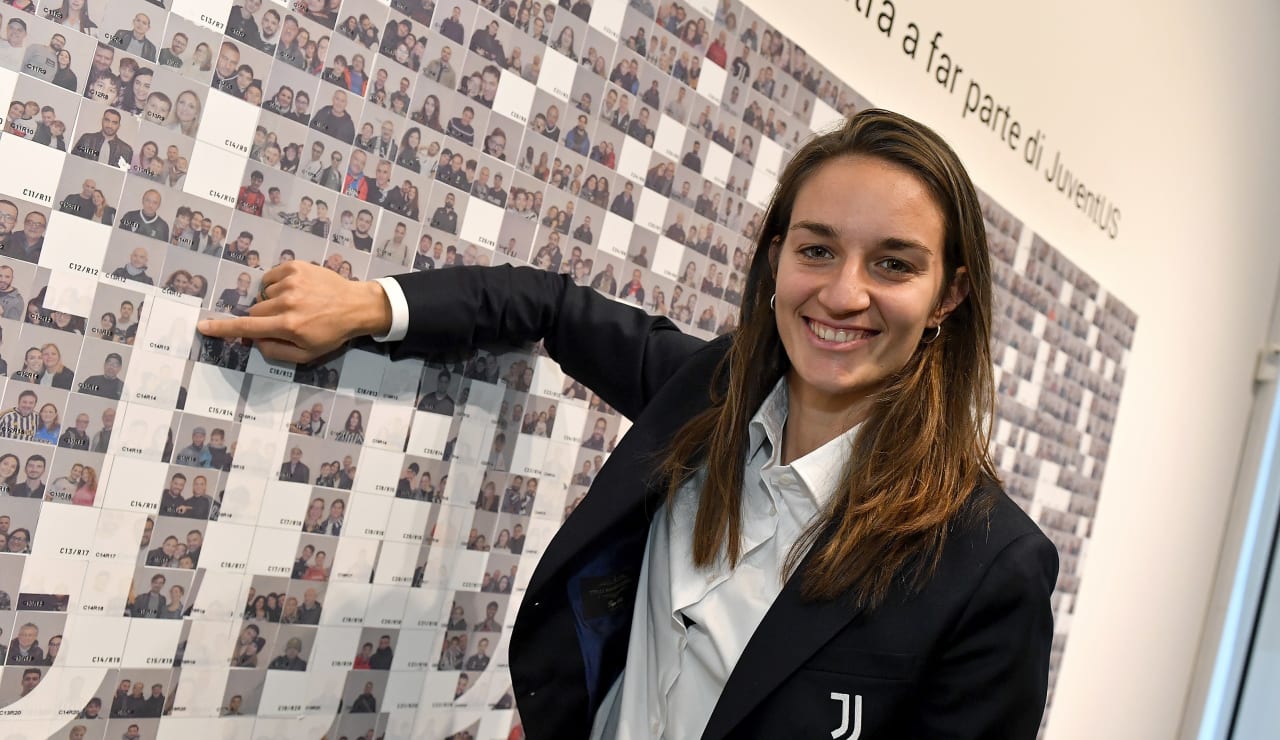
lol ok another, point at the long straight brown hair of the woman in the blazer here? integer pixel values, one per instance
(921, 453)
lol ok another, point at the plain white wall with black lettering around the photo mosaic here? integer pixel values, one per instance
(1168, 107)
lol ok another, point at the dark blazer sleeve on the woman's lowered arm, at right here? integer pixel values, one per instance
(993, 679)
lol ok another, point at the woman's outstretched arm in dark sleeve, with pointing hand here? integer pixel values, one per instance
(621, 353)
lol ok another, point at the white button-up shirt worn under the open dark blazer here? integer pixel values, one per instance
(675, 674)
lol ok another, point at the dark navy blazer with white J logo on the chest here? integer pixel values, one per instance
(964, 659)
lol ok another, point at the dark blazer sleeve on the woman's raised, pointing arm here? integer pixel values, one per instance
(619, 351)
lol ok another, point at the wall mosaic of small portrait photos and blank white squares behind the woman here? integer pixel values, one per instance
(339, 550)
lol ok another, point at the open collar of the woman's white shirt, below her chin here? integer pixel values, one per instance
(820, 471)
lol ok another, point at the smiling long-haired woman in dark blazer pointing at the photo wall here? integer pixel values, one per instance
(803, 532)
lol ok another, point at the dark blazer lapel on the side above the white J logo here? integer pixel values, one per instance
(793, 631)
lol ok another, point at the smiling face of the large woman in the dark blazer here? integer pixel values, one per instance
(860, 280)
